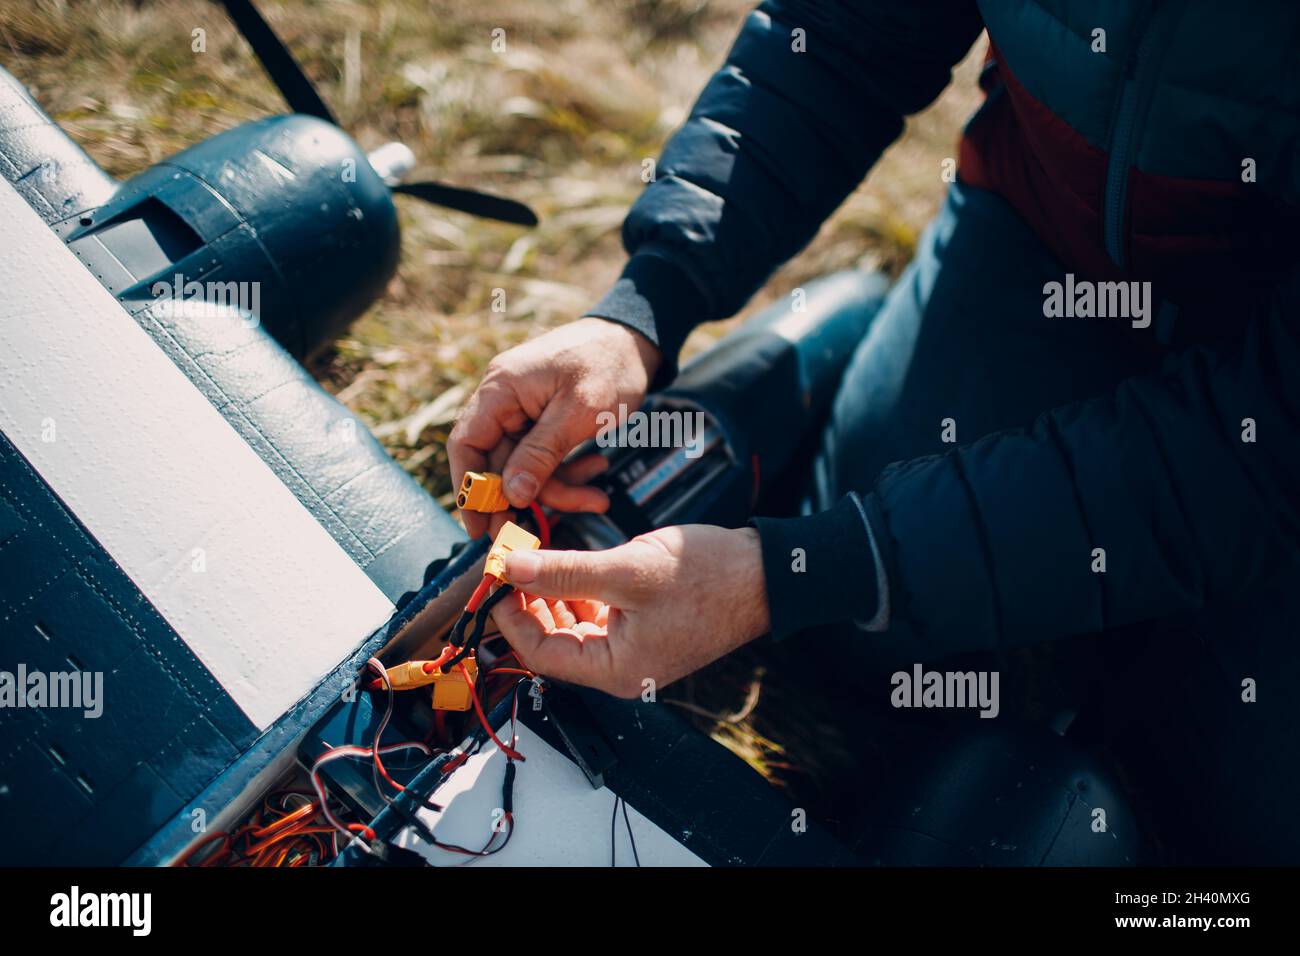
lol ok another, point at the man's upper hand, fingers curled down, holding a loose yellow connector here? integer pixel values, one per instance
(539, 403)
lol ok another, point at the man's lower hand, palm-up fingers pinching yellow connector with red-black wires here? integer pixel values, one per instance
(656, 609)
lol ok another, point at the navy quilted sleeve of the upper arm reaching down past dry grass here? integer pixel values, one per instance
(811, 96)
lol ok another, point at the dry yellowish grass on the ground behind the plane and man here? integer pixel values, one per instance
(564, 120)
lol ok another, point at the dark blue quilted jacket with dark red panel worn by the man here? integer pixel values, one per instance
(990, 546)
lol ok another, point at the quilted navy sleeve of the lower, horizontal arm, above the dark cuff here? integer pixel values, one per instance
(1189, 482)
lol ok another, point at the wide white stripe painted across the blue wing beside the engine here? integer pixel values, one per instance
(162, 481)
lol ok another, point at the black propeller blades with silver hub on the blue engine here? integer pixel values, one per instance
(393, 161)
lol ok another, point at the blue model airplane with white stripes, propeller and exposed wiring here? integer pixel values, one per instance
(201, 550)
